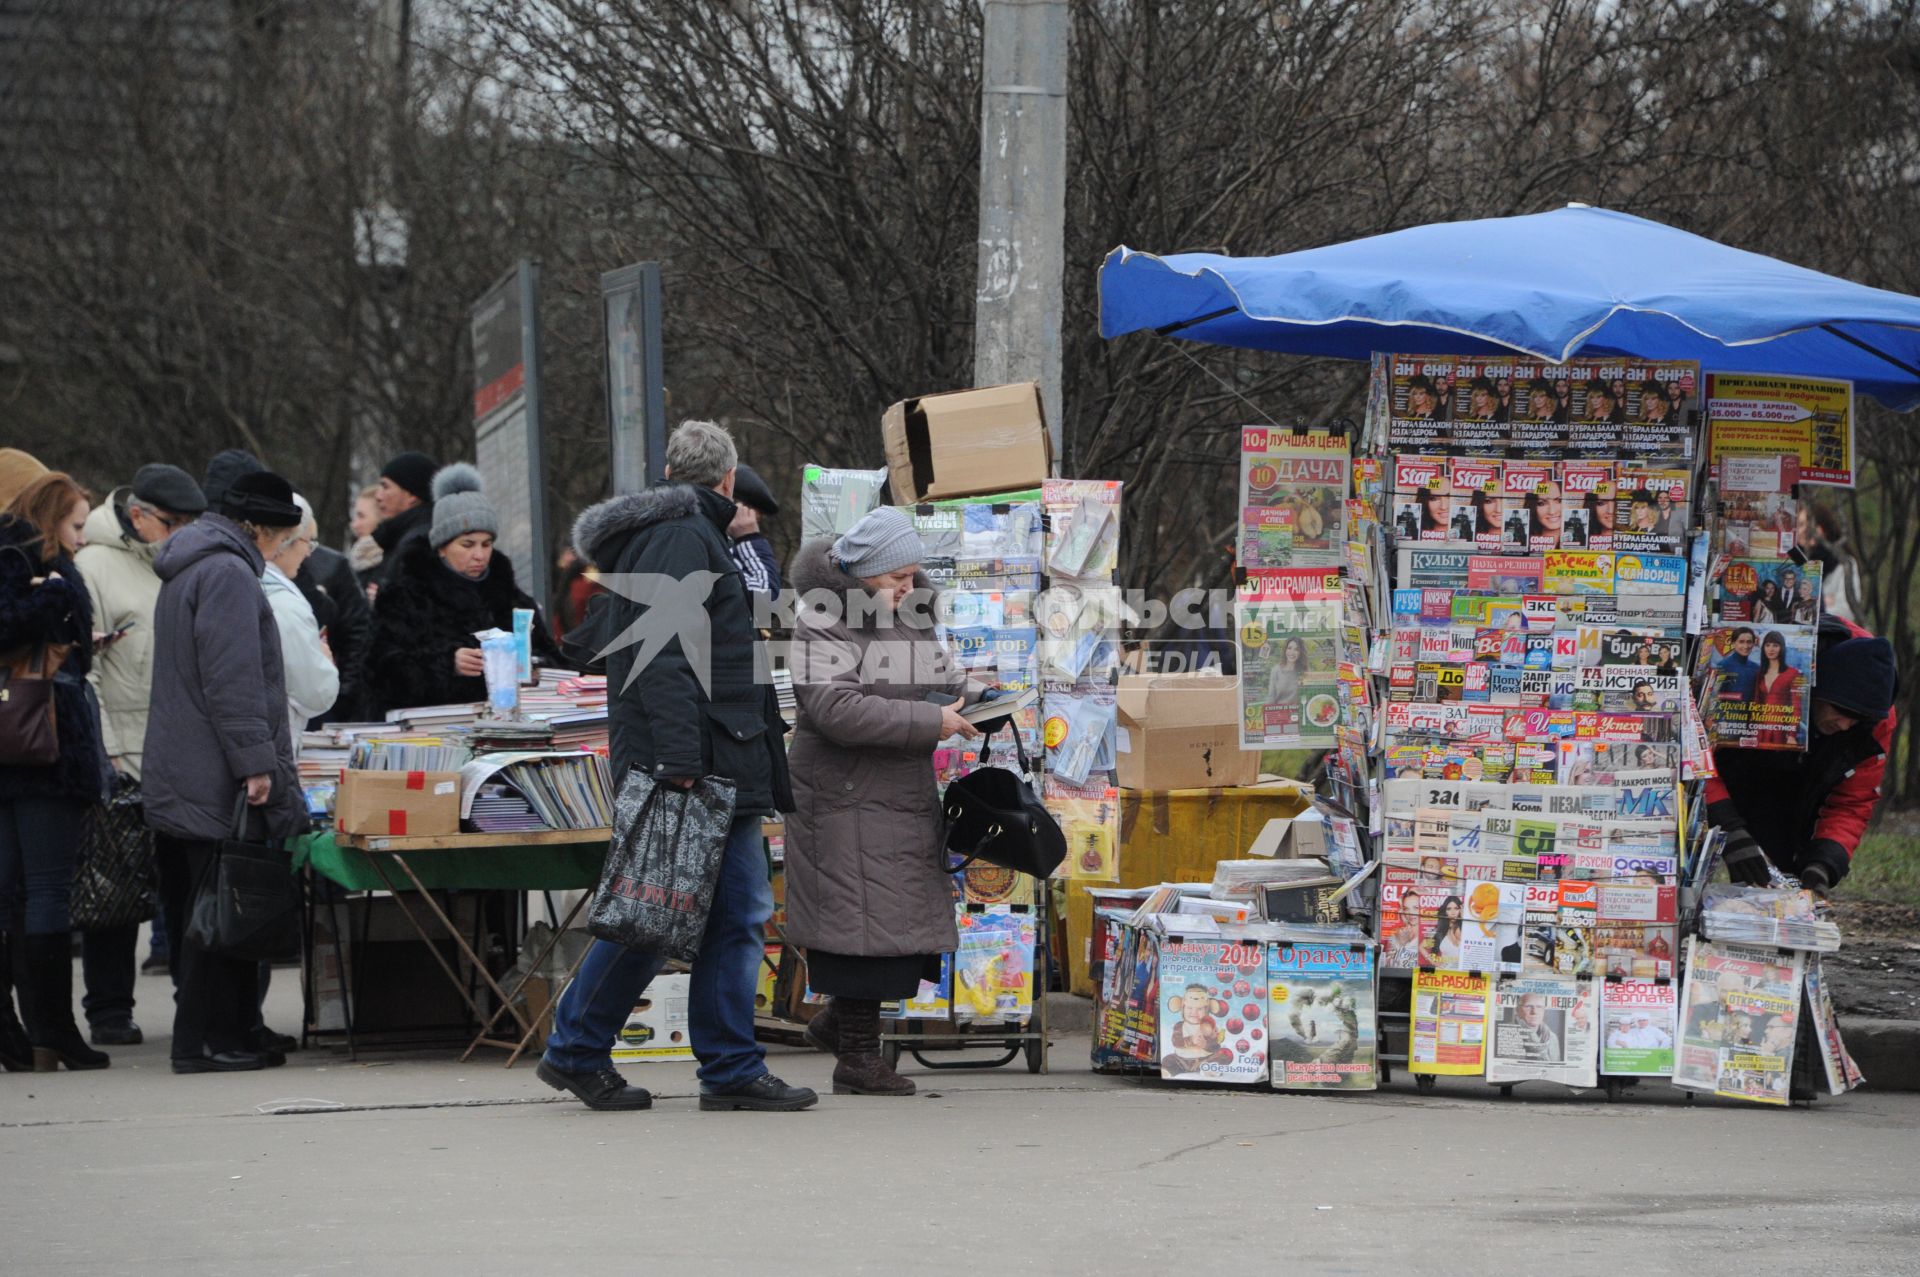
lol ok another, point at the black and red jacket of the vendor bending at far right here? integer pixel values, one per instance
(1806, 807)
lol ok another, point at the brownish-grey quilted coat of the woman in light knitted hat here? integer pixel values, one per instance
(865, 857)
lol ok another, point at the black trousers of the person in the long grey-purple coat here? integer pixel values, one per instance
(216, 1000)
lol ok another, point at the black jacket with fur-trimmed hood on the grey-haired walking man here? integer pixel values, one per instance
(669, 721)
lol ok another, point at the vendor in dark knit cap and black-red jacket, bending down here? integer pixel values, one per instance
(1806, 813)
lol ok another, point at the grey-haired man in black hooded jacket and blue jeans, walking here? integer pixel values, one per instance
(683, 715)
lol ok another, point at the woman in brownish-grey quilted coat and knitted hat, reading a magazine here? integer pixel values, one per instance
(869, 898)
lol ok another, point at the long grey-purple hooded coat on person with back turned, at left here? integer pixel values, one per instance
(220, 690)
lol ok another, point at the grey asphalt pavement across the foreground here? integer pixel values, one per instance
(418, 1165)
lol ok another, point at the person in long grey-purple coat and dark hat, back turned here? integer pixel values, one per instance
(218, 729)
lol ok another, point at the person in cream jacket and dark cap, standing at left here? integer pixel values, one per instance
(118, 567)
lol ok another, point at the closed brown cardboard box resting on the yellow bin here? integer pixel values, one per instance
(1182, 733)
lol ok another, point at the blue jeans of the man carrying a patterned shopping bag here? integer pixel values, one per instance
(721, 998)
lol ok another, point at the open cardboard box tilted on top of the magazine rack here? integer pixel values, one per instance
(967, 445)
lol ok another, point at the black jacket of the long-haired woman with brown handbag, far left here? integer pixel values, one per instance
(55, 612)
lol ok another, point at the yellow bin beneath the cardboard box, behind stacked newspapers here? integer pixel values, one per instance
(1178, 836)
